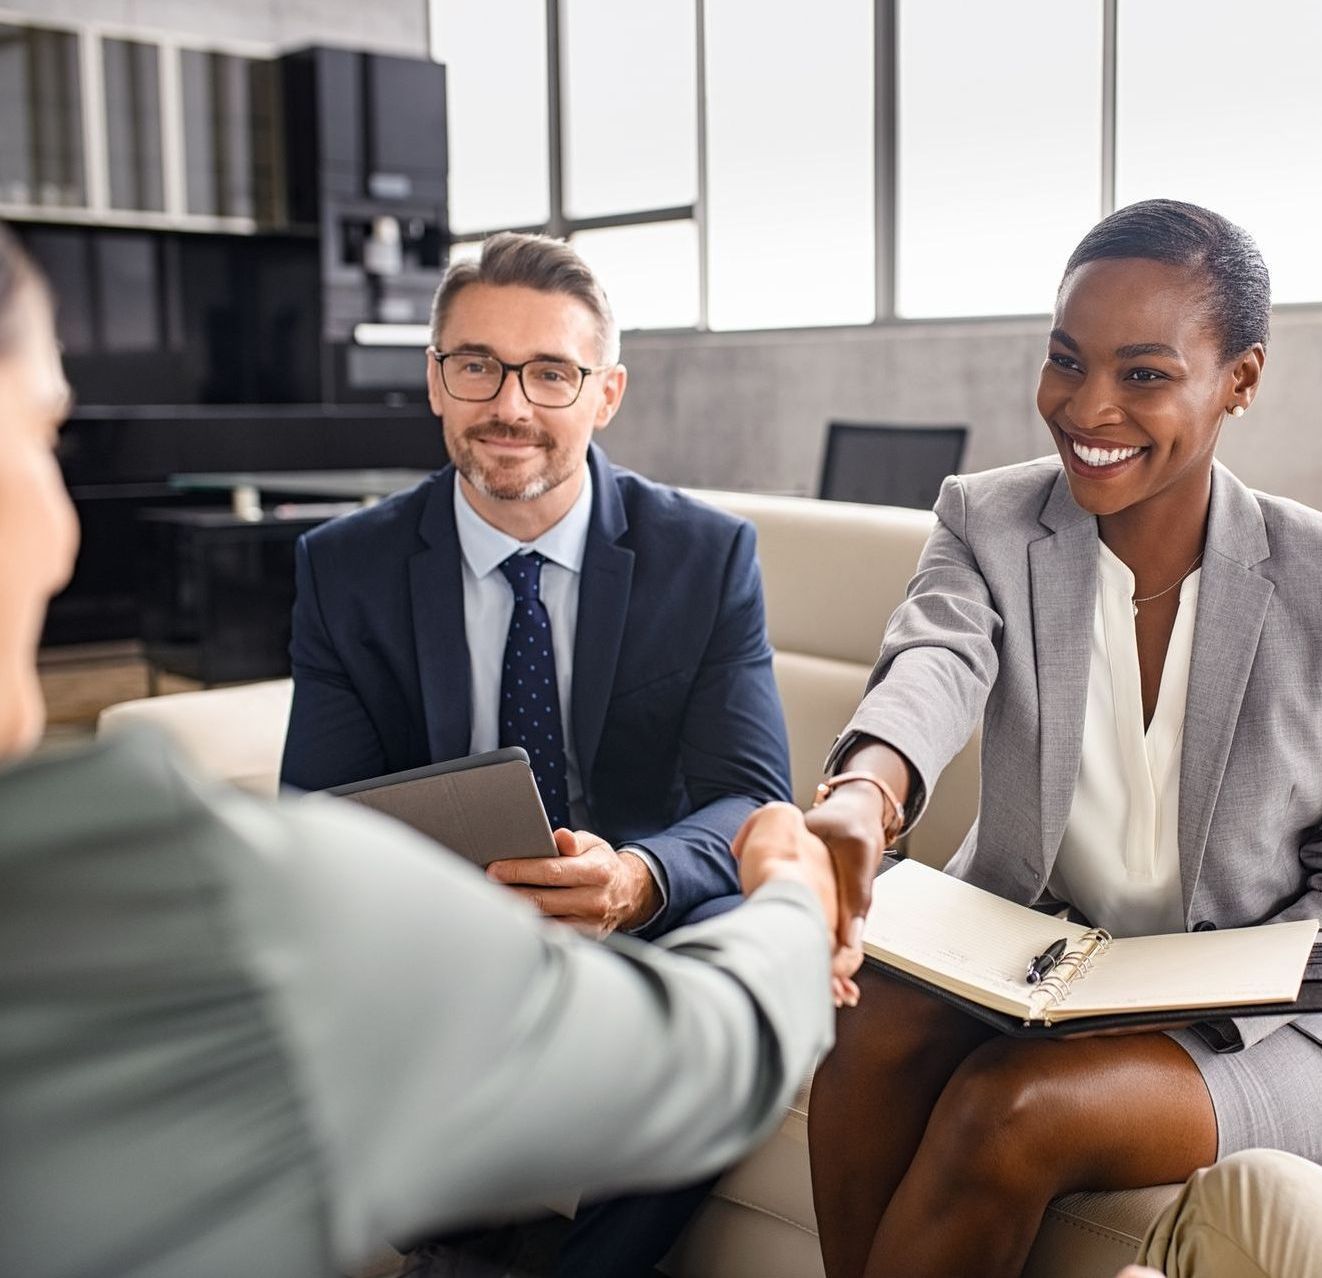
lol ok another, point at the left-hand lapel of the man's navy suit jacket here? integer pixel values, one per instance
(437, 583)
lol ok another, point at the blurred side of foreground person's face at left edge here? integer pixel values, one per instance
(39, 533)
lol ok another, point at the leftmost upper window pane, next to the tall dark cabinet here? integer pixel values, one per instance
(495, 55)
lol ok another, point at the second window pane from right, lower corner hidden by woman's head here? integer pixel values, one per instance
(1000, 153)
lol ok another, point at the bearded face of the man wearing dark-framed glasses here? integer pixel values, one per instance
(508, 449)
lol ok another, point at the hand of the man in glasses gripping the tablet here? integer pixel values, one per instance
(590, 885)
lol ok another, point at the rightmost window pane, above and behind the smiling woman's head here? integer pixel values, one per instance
(1234, 129)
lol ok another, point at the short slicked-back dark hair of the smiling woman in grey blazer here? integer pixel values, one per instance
(1239, 289)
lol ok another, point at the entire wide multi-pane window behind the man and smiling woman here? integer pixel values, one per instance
(748, 199)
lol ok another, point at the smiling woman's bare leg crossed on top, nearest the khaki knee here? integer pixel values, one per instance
(1021, 1123)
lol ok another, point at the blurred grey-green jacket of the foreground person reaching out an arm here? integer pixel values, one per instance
(244, 1038)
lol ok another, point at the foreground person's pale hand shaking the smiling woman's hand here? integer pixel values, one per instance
(777, 844)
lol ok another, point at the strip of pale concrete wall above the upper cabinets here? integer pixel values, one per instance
(383, 26)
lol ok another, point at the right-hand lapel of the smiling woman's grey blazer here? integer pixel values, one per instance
(1233, 603)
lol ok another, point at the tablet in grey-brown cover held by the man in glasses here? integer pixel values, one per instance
(483, 807)
